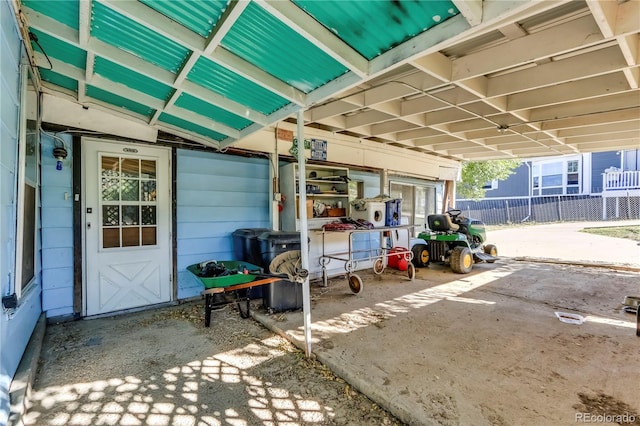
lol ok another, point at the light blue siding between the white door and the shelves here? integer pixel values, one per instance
(216, 194)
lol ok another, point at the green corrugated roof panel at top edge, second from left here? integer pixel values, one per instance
(197, 15)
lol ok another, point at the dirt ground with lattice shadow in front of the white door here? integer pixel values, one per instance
(164, 367)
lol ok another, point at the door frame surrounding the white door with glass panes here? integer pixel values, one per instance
(80, 251)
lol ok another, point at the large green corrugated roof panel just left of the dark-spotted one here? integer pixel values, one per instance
(269, 44)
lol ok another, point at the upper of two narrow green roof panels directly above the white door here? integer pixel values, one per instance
(141, 83)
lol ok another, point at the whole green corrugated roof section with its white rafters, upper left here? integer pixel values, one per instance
(260, 66)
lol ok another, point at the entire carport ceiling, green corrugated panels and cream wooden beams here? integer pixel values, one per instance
(465, 80)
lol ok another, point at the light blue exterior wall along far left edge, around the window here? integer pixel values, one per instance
(16, 325)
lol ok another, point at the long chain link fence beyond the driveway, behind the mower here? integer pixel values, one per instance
(551, 208)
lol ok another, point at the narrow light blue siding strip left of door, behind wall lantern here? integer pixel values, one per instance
(57, 230)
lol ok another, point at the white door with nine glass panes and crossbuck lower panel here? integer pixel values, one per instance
(127, 226)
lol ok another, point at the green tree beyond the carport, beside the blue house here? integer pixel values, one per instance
(476, 174)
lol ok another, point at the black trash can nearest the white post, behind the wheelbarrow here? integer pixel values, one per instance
(283, 295)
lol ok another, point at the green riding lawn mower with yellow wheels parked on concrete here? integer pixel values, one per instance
(455, 240)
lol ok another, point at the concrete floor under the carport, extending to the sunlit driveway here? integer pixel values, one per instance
(488, 348)
